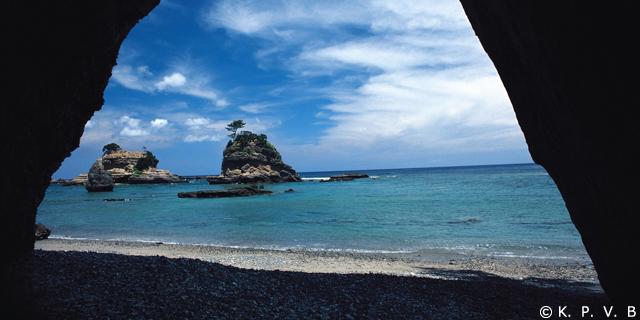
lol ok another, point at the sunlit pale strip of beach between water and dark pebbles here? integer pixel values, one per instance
(342, 262)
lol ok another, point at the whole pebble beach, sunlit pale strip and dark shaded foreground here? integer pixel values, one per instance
(111, 279)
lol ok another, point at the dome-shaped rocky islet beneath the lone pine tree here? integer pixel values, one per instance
(252, 159)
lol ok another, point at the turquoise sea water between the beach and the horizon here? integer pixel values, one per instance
(501, 210)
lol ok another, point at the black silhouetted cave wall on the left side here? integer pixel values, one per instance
(57, 61)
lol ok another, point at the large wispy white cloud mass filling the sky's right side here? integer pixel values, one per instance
(405, 74)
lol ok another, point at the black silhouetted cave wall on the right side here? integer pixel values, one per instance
(571, 74)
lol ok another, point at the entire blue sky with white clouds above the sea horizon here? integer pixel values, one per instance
(335, 85)
